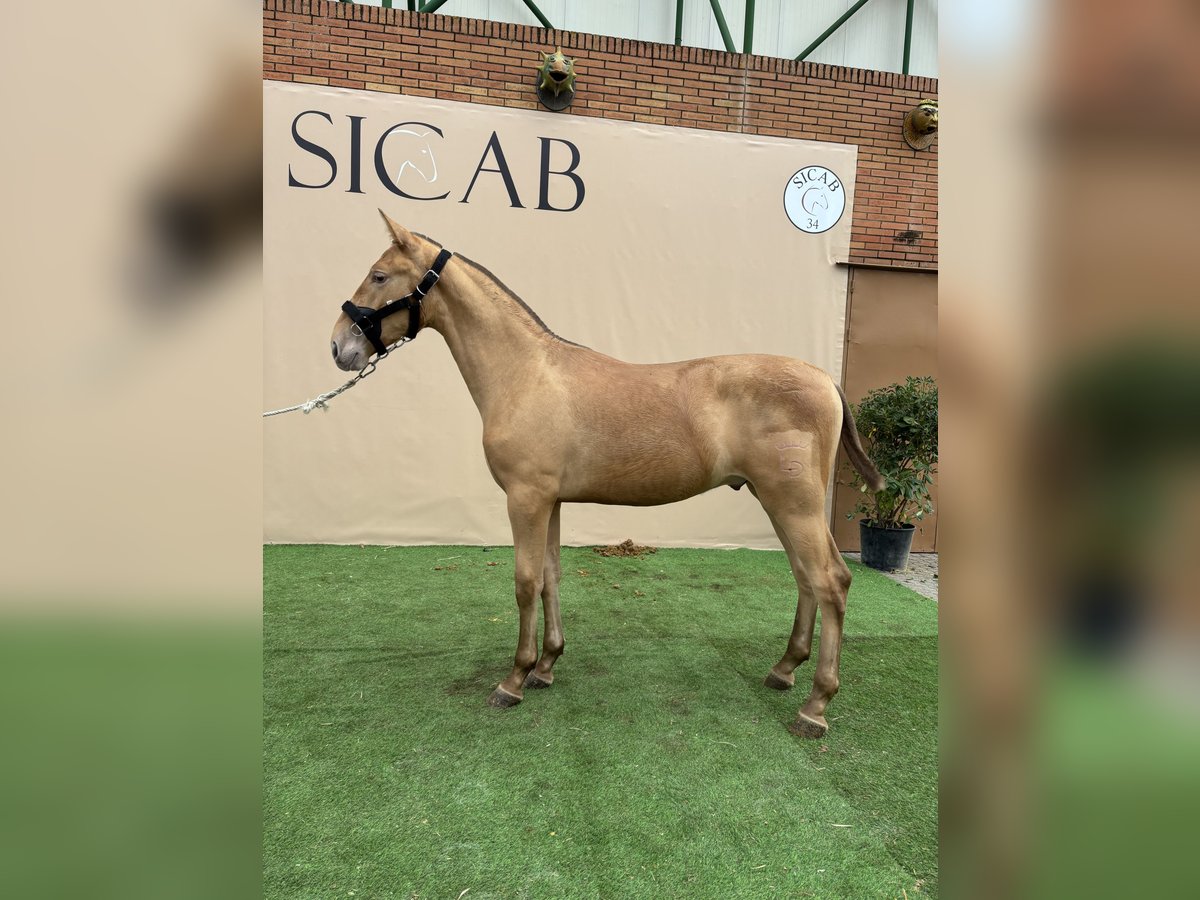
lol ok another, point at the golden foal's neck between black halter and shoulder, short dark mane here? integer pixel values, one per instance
(494, 339)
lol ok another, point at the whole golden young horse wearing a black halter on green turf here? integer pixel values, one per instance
(566, 424)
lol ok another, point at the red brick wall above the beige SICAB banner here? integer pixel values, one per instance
(470, 61)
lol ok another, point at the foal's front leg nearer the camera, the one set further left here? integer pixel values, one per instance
(530, 514)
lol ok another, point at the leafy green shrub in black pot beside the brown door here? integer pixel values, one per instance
(899, 430)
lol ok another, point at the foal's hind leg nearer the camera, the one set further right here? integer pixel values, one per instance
(830, 581)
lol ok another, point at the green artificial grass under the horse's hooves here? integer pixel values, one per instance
(657, 766)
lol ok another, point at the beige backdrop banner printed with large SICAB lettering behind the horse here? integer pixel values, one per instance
(681, 248)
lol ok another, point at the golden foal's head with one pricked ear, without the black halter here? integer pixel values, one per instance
(393, 277)
